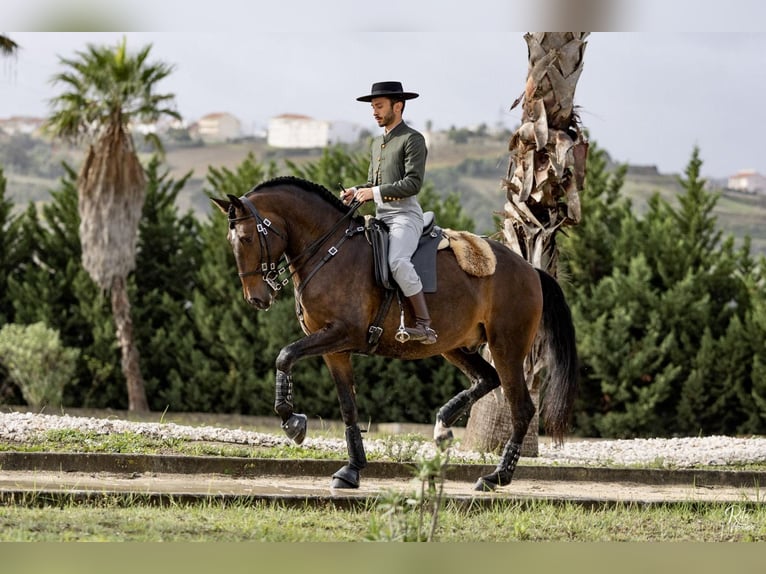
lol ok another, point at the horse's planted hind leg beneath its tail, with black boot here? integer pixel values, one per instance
(522, 411)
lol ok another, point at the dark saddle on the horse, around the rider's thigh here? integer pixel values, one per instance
(424, 258)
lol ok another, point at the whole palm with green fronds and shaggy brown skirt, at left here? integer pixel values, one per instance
(106, 90)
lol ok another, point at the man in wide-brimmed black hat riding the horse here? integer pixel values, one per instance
(395, 176)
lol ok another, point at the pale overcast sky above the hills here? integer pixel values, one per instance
(647, 97)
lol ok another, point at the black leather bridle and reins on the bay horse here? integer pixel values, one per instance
(271, 270)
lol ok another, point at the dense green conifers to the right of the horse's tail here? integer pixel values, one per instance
(661, 306)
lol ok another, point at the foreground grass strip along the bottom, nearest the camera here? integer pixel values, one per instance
(505, 521)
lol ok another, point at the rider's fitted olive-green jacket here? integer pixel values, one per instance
(398, 163)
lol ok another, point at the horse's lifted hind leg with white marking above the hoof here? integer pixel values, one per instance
(483, 379)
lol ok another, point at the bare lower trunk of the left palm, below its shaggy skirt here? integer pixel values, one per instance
(130, 356)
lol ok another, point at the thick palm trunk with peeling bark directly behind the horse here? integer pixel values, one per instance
(545, 174)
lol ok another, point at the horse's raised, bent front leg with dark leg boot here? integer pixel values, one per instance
(323, 341)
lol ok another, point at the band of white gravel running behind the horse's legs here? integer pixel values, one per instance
(675, 452)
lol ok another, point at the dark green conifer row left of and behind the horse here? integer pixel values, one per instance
(203, 348)
